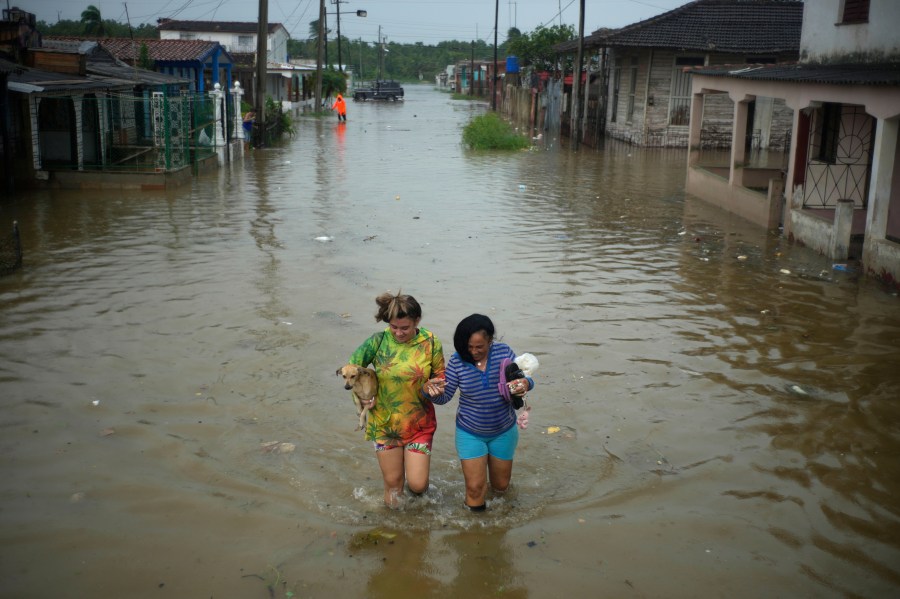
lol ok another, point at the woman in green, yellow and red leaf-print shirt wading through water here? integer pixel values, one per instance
(401, 420)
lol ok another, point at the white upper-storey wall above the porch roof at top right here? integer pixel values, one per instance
(825, 40)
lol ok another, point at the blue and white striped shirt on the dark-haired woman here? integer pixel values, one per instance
(482, 410)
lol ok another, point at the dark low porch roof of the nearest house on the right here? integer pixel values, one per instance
(843, 74)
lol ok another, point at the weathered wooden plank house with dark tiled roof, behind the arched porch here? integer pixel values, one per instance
(638, 90)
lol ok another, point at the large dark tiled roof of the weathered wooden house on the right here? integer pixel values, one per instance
(736, 26)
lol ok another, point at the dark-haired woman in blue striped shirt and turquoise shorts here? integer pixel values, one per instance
(486, 433)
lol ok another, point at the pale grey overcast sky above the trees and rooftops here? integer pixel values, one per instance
(401, 21)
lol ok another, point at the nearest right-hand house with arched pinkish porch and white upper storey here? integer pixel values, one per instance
(842, 174)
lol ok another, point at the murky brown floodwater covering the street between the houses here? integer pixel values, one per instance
(716, 410)
